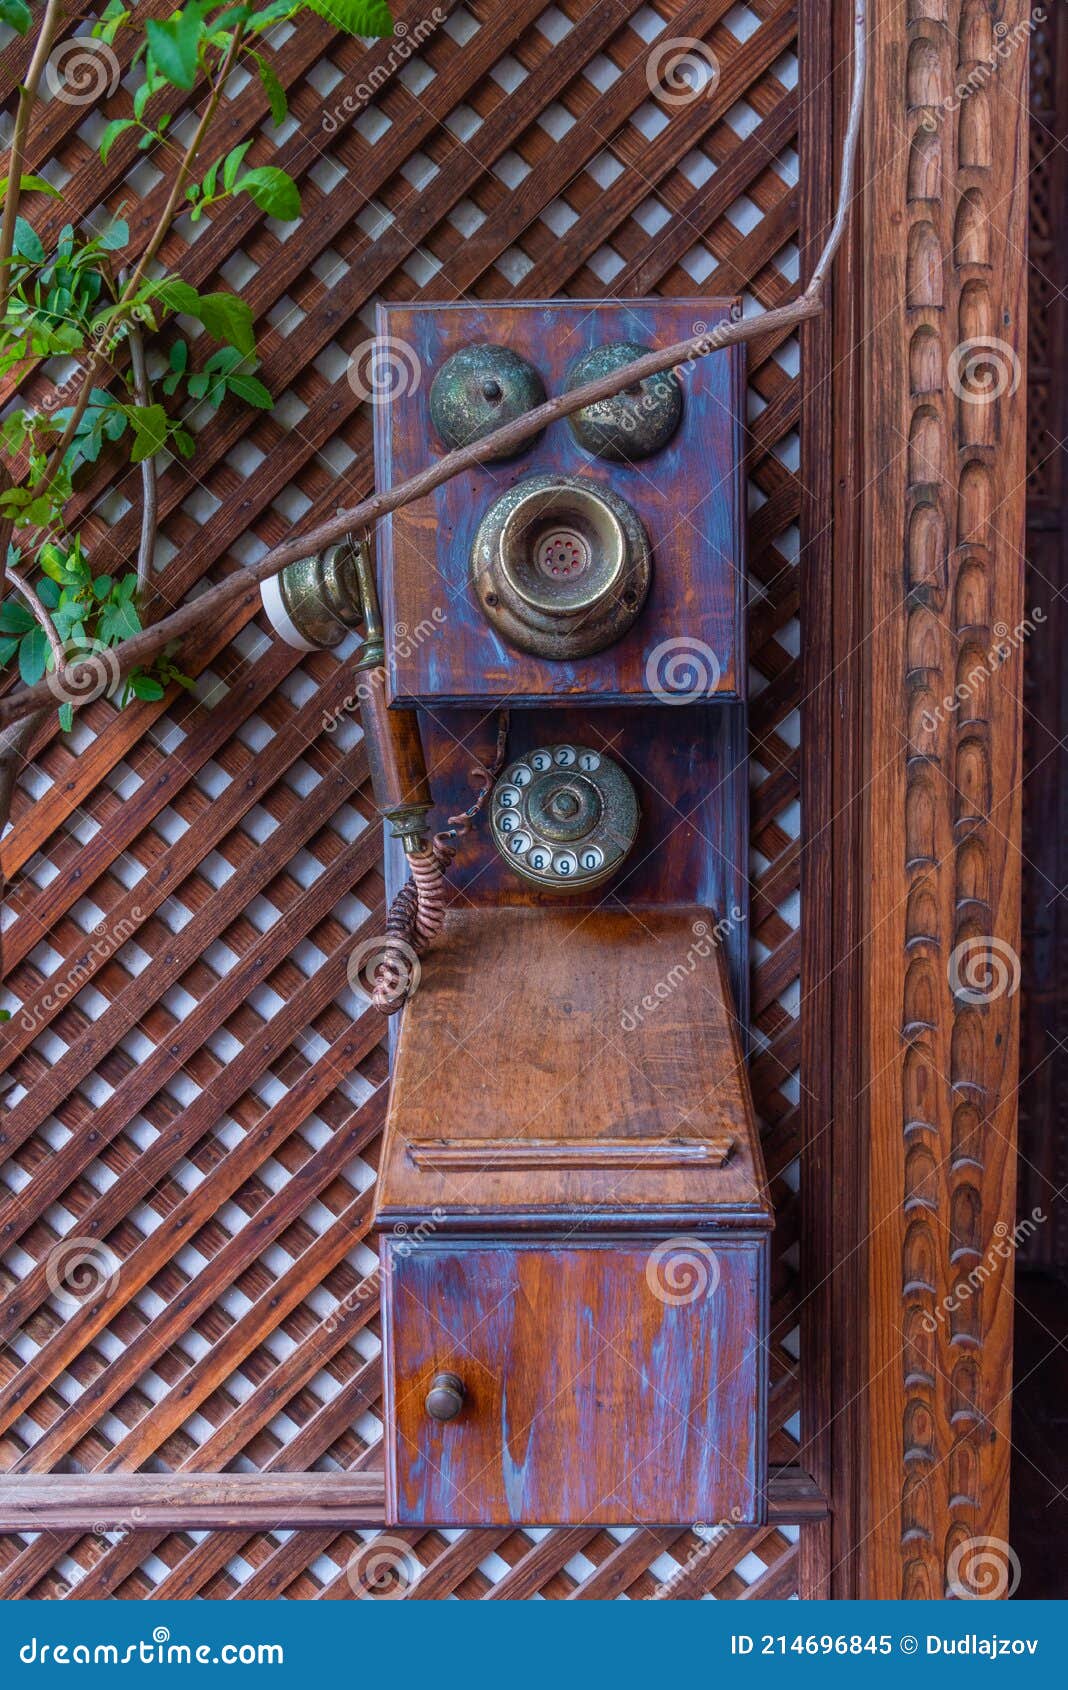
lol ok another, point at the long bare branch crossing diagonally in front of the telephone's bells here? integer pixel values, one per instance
(143, 648)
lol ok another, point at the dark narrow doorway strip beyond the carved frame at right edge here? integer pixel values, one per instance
(1040, 1409)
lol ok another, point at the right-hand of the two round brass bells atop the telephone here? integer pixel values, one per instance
(631, 425)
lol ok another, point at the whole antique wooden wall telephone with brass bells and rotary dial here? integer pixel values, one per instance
(572, 1204)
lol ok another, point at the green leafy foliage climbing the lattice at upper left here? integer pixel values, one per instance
(74, 300)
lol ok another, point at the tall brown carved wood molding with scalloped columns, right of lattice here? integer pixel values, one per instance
(942, 510)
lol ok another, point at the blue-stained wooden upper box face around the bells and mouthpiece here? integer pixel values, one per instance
(689, 496)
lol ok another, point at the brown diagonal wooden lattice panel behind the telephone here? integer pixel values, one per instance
(197, 1088)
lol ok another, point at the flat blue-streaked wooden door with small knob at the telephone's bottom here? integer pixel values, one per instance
(602, 1383)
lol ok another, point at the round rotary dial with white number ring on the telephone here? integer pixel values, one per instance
(564, 817)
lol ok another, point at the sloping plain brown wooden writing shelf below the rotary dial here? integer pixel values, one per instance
(525, 1066)
